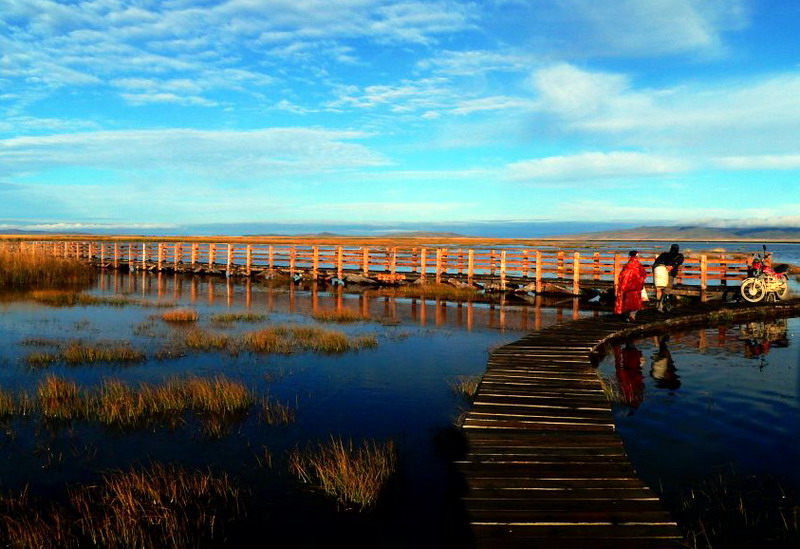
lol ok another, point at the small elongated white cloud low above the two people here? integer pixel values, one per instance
(594, 165)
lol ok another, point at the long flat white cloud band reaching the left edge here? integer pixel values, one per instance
(224, 155)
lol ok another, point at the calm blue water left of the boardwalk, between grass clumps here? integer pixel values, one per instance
(399, 390)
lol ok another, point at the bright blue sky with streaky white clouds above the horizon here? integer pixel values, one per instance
(169, 115)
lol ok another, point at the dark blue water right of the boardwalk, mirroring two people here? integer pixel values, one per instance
(711, 400)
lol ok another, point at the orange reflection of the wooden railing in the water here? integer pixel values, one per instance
(500, 312)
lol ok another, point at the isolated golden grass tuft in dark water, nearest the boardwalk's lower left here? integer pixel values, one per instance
(354, 475)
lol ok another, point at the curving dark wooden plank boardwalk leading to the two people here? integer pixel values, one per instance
(544, 466)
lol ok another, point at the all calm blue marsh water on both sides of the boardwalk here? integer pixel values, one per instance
(719, 403)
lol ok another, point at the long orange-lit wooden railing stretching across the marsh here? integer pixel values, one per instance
(544, 270)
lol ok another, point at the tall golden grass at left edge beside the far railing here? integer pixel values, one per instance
(22, 270)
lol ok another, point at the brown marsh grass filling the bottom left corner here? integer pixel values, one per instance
(157, 506)
